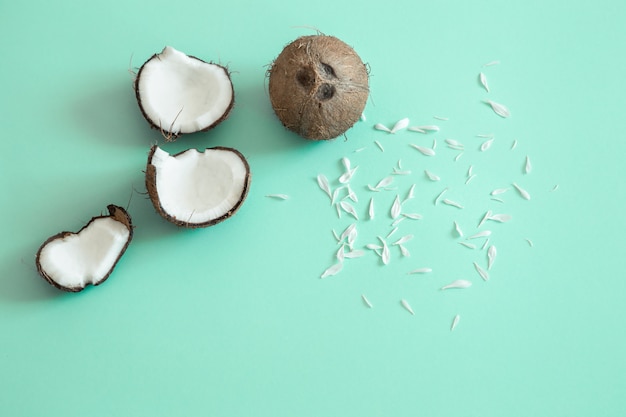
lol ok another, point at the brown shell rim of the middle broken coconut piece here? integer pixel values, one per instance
(151, 186)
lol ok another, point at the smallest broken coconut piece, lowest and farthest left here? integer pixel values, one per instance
(71, 261)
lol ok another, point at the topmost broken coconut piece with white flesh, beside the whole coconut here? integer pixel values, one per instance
(179, 93)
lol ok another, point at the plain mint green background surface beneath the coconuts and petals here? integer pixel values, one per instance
(234, 320)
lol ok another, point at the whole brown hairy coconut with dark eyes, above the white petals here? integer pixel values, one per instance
(318, 87)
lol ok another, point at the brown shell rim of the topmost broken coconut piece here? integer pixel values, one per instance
(166, 130)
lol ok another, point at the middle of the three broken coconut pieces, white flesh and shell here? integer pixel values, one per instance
(197, 189)
